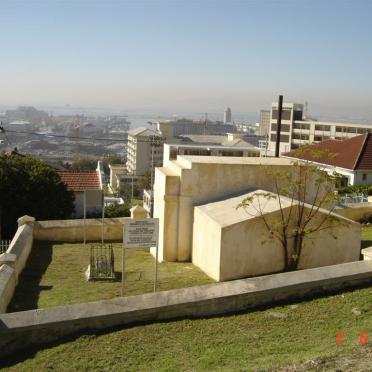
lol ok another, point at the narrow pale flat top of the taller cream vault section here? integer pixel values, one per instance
(234, 160)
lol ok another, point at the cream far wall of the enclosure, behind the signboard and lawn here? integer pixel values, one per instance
(73, 230)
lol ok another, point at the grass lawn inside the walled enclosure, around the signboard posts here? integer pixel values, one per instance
(54, 276)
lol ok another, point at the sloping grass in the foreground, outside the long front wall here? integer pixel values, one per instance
(301, 334)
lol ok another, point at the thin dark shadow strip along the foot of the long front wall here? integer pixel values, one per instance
(30, 352)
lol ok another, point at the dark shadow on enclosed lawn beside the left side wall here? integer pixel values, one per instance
(28, 289)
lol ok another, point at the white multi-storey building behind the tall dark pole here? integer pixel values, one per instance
(297, 130)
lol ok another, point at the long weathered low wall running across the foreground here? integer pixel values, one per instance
(22, 329)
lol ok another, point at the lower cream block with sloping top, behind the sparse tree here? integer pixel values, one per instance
(231, 243)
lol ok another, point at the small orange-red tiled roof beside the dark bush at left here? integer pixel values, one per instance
(80, 180)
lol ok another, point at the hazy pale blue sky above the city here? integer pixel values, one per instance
(189, 56)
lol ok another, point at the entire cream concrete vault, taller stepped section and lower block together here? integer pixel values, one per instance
(192, 197)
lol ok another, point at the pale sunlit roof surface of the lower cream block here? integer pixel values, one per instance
(225, 212)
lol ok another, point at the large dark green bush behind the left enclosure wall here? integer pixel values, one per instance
(30, 186)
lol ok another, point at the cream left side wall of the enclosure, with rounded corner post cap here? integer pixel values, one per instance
(14, 260)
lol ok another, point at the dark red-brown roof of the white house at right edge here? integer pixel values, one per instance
(353, 153)
